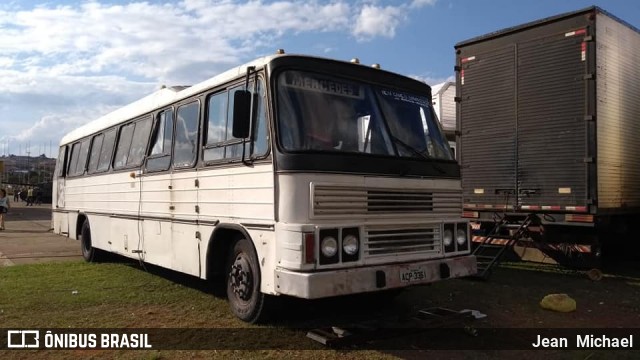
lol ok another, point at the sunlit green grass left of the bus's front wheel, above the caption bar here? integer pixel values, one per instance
(77, 294)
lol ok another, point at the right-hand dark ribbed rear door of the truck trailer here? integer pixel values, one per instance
(551, 125)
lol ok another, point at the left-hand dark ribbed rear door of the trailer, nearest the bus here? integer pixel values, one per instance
(488, 127)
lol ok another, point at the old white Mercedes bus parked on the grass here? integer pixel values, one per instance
(291, 175)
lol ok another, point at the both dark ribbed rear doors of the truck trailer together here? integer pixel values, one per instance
(523, 124)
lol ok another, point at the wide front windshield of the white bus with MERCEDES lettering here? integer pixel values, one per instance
(322, 113)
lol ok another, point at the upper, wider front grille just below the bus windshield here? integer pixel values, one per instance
(342, 200)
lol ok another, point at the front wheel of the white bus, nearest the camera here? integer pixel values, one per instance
(243, 283)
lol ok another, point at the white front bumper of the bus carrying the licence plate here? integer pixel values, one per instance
(366, 279)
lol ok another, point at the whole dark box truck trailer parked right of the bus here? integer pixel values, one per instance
(548, 119)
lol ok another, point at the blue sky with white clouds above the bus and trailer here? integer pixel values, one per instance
(65, 63)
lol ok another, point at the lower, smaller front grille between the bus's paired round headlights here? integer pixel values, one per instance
(384, 240)
